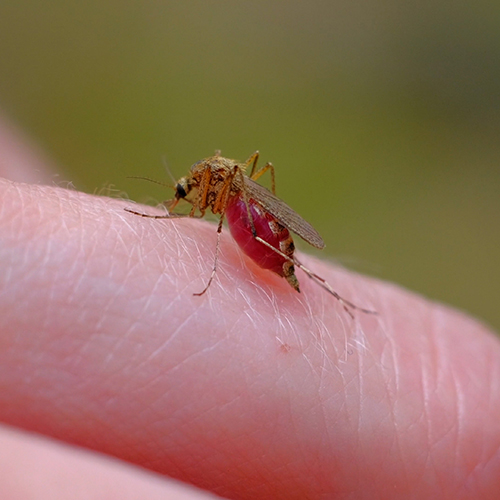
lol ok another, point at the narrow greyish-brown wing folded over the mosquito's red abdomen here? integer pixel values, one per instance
(279, 209)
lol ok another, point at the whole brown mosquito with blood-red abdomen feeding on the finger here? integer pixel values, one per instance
(258, 220)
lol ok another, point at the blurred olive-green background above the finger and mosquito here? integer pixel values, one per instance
(381, 118)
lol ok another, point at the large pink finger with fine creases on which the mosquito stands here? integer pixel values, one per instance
(250, 391)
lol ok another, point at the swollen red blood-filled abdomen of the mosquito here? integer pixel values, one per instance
(241, 230)
